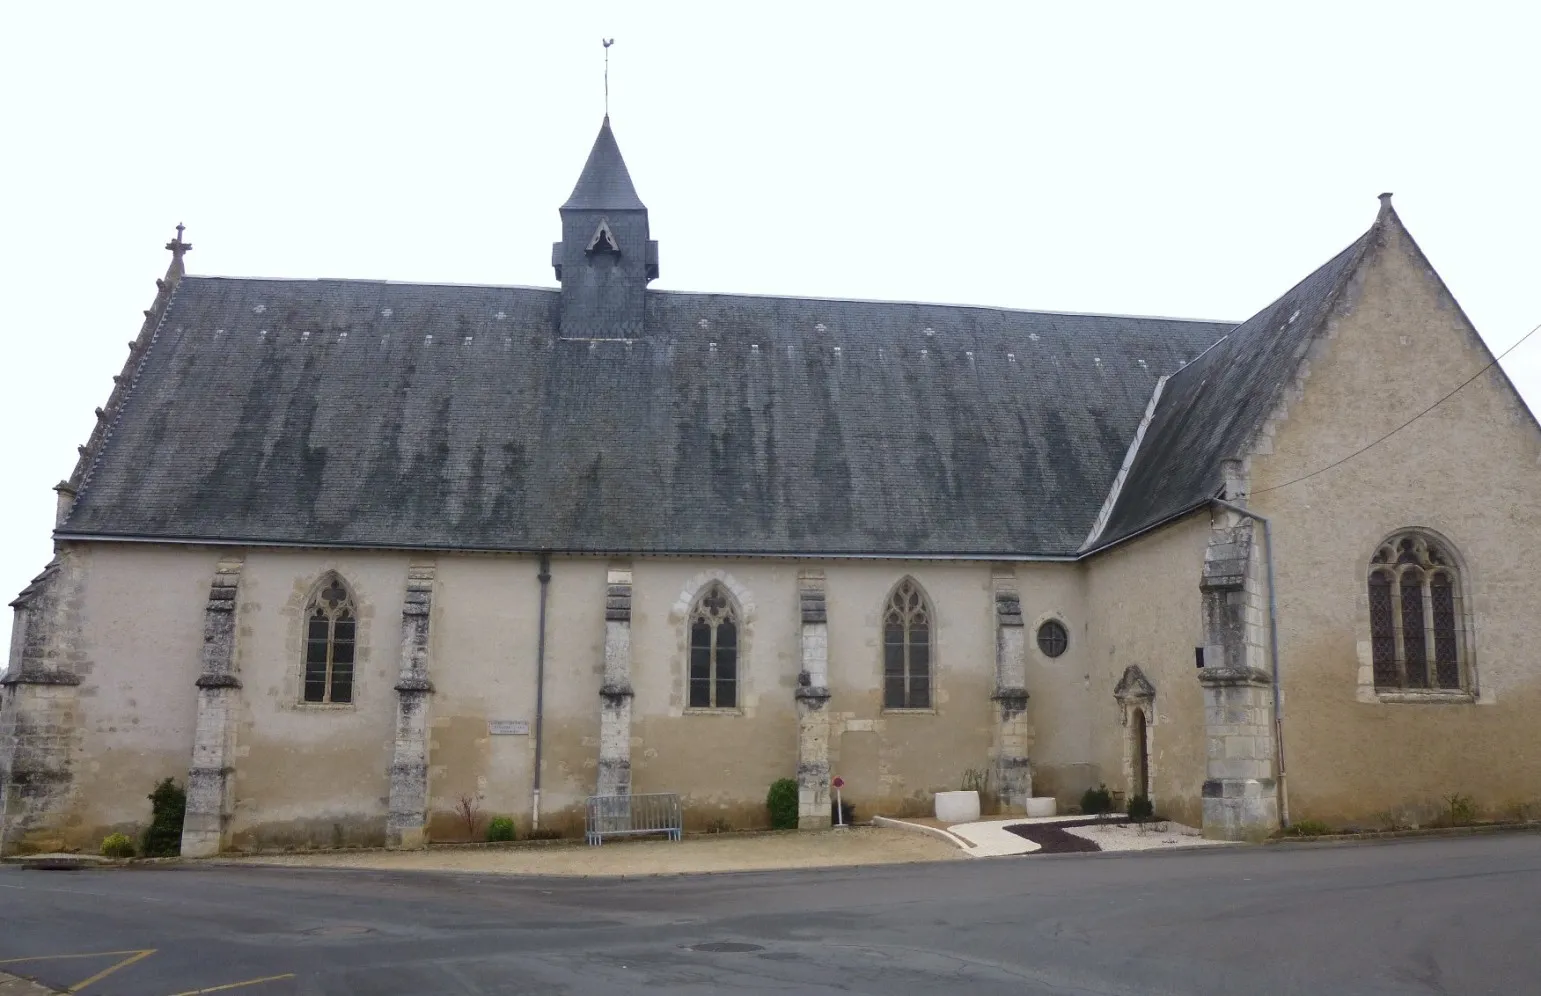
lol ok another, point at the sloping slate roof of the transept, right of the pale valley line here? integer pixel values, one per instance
(1212, 409)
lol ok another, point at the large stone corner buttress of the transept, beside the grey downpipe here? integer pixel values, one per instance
(1241, 799)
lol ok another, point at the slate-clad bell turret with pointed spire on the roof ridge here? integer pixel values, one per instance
(605, 260)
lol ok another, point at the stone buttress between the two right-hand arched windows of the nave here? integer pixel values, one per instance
(813, 701)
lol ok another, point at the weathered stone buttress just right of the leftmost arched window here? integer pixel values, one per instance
(406, 826)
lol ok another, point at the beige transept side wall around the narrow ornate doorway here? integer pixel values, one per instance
(1143, 601)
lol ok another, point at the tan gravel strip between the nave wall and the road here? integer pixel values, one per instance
(859, 846)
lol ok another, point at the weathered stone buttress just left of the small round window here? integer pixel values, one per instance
(1013, 735)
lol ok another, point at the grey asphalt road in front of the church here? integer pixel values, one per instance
(1418, 917)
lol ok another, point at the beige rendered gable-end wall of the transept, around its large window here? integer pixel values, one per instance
(1468, 471)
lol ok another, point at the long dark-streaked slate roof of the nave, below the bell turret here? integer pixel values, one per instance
(400, 416)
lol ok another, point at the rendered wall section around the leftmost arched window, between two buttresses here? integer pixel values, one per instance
(314, 775)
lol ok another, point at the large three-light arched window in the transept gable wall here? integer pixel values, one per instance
(1418, 634)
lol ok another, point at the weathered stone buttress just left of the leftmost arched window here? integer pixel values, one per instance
(210, 784)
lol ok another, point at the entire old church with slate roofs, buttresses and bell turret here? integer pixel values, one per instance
(346, 556)
